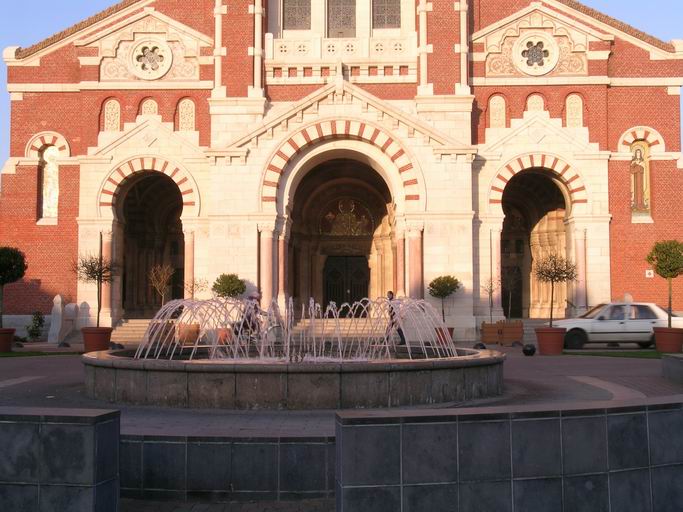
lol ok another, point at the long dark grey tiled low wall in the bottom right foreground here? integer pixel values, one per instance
(588, 457)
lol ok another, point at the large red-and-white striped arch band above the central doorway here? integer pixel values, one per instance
(339, 129)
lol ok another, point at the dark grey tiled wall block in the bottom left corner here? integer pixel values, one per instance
(59, 460)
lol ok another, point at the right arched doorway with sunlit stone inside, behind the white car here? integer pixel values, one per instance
(534, 227)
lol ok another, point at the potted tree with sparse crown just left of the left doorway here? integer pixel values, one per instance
(98, 270)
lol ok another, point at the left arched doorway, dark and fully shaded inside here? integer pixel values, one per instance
(149, 207)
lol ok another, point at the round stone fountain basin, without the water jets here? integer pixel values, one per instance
(117, 377)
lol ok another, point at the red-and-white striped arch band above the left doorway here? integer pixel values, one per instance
(109, 193)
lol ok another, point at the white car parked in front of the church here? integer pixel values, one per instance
(617, 322)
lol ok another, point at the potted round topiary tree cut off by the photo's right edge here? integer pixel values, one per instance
(666, 258)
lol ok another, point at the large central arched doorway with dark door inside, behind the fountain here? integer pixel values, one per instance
(342, 238)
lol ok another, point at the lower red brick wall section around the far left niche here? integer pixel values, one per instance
(49, 250)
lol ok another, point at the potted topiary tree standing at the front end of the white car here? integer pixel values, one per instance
(553, 269)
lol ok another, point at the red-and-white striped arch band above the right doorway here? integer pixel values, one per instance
(561, 169)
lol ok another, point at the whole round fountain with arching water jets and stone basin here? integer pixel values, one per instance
(229, 353)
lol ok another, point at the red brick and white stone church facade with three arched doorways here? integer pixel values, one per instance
(338, 149)
